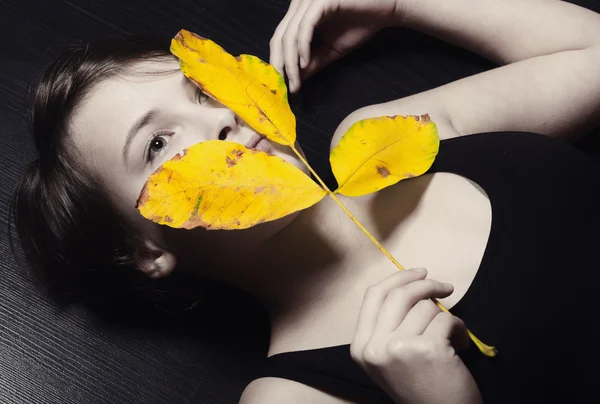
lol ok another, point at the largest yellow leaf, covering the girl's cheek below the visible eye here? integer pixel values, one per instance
(224, 185)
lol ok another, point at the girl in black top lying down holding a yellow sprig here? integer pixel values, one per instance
(503, 221)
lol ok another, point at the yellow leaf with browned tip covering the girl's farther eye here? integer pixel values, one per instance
(251, 88)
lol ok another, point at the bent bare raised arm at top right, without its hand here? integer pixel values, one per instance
(551, 84)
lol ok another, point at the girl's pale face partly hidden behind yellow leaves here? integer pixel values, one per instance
(128, 126)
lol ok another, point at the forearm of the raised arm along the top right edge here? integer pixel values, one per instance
(505, 31)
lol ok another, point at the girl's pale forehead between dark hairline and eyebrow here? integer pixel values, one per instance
(99, 125)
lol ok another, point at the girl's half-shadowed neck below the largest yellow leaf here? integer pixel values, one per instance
(308, 264)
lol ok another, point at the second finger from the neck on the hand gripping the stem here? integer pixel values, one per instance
(401, 300)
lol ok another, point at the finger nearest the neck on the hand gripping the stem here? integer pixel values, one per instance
(374, 298)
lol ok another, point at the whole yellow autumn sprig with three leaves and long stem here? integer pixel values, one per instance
(235, 190)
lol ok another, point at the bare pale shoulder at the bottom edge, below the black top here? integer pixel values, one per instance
(275, 390)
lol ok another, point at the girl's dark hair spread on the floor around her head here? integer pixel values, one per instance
(70, 233)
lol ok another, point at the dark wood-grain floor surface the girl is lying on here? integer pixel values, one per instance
(55, 355)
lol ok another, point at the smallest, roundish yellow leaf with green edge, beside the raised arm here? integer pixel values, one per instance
(378, 152)
